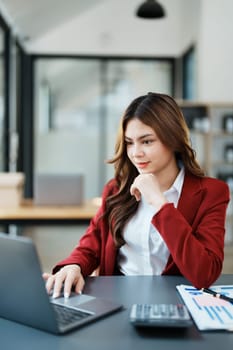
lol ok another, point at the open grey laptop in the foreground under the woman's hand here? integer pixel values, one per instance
(23, 297)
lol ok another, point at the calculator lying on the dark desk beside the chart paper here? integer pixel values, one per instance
(160, 315)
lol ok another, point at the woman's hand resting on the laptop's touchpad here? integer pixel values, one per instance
(67, 277)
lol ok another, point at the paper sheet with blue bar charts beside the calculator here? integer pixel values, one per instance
(207, 311)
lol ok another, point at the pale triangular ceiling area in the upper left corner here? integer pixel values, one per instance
(31, 19)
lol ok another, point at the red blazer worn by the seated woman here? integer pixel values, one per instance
(194, 234)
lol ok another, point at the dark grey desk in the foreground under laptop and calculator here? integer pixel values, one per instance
(115, 332)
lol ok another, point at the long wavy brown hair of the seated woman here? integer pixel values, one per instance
(162, 114)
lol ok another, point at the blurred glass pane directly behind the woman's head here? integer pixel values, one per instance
(125, 81)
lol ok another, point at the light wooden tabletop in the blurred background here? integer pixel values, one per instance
(29, 213)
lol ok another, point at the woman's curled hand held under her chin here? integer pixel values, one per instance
(148, 186)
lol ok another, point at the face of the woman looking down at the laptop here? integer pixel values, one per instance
(146, 151)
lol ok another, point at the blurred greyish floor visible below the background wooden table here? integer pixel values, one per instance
(55, 243)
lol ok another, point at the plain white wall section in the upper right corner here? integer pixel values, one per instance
(215, 51)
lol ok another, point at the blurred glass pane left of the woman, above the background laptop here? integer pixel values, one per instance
(67, 123)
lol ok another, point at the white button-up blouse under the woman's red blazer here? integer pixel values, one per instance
(145, 252)
